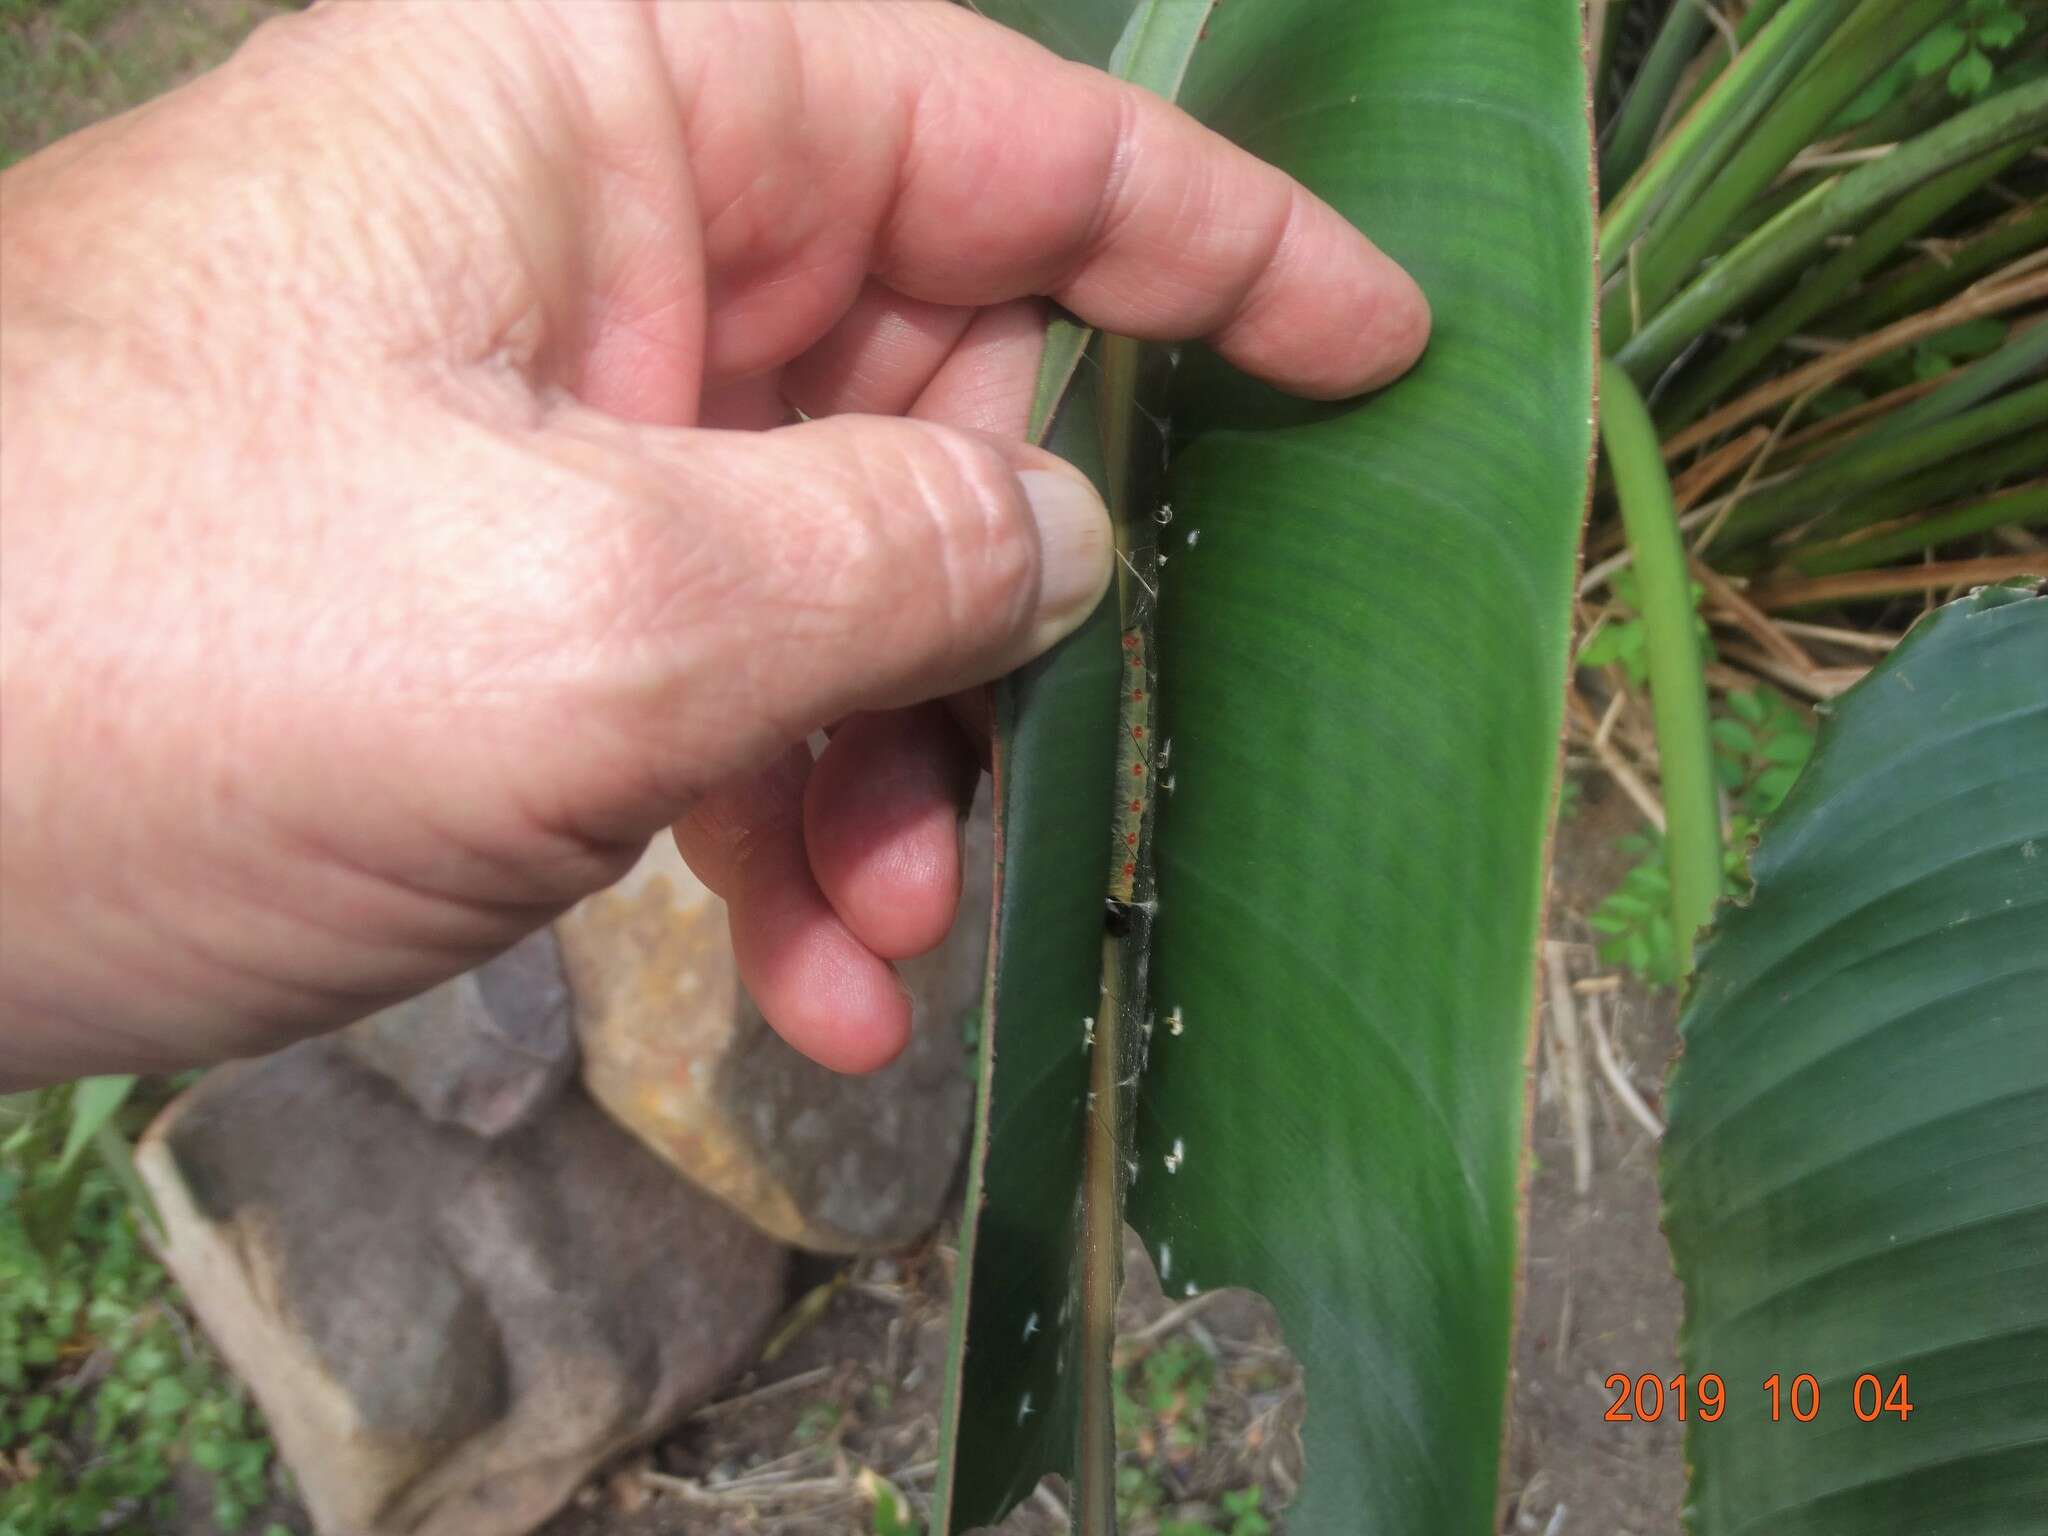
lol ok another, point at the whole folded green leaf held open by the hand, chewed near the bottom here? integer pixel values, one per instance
(1359, 644)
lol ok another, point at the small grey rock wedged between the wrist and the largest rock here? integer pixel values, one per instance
(486, 1052)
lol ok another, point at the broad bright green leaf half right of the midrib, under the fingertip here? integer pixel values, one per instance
(1363, 650)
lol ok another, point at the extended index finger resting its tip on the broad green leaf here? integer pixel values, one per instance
(986, 169)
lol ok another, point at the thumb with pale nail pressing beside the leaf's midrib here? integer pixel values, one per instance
(790, 579)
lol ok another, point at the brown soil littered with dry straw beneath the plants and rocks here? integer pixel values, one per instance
(853, 1381)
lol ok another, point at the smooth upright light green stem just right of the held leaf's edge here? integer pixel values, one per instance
(1672, 650)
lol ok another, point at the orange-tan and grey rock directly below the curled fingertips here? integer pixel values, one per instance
(681, 1058)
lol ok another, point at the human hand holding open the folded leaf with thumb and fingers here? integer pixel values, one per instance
(398, 519)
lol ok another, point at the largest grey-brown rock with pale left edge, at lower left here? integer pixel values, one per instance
(445, 1332)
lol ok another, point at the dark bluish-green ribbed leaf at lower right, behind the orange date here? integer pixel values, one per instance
(1857, 1168)
